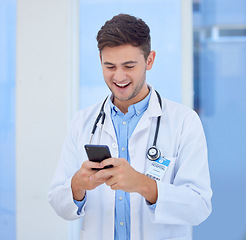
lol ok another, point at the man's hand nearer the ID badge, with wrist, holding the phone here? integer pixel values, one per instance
(122, 176)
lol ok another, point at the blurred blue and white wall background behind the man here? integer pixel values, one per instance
(49, 68)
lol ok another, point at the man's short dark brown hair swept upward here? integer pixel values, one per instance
(125, 29)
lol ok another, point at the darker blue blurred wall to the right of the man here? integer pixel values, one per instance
(221, 92)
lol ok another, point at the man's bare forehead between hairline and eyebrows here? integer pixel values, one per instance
(122, 54)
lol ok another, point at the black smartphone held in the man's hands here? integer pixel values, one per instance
(98, 153)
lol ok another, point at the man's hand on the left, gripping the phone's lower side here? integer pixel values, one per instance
(81, 180)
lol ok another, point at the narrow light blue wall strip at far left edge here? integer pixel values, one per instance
(7, 119)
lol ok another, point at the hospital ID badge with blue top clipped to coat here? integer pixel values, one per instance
(158, 168)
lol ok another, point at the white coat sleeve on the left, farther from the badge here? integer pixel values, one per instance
(60, 193)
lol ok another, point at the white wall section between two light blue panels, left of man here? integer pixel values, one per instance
(44, 103)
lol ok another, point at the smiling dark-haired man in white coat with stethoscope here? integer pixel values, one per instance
(136, 198)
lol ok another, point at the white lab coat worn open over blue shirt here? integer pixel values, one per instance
(184, 195)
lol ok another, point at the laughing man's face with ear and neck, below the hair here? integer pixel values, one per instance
(124, 70)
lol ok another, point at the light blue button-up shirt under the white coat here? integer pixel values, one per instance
(124, 125)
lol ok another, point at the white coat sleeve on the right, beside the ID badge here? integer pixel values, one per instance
(187, 200)
